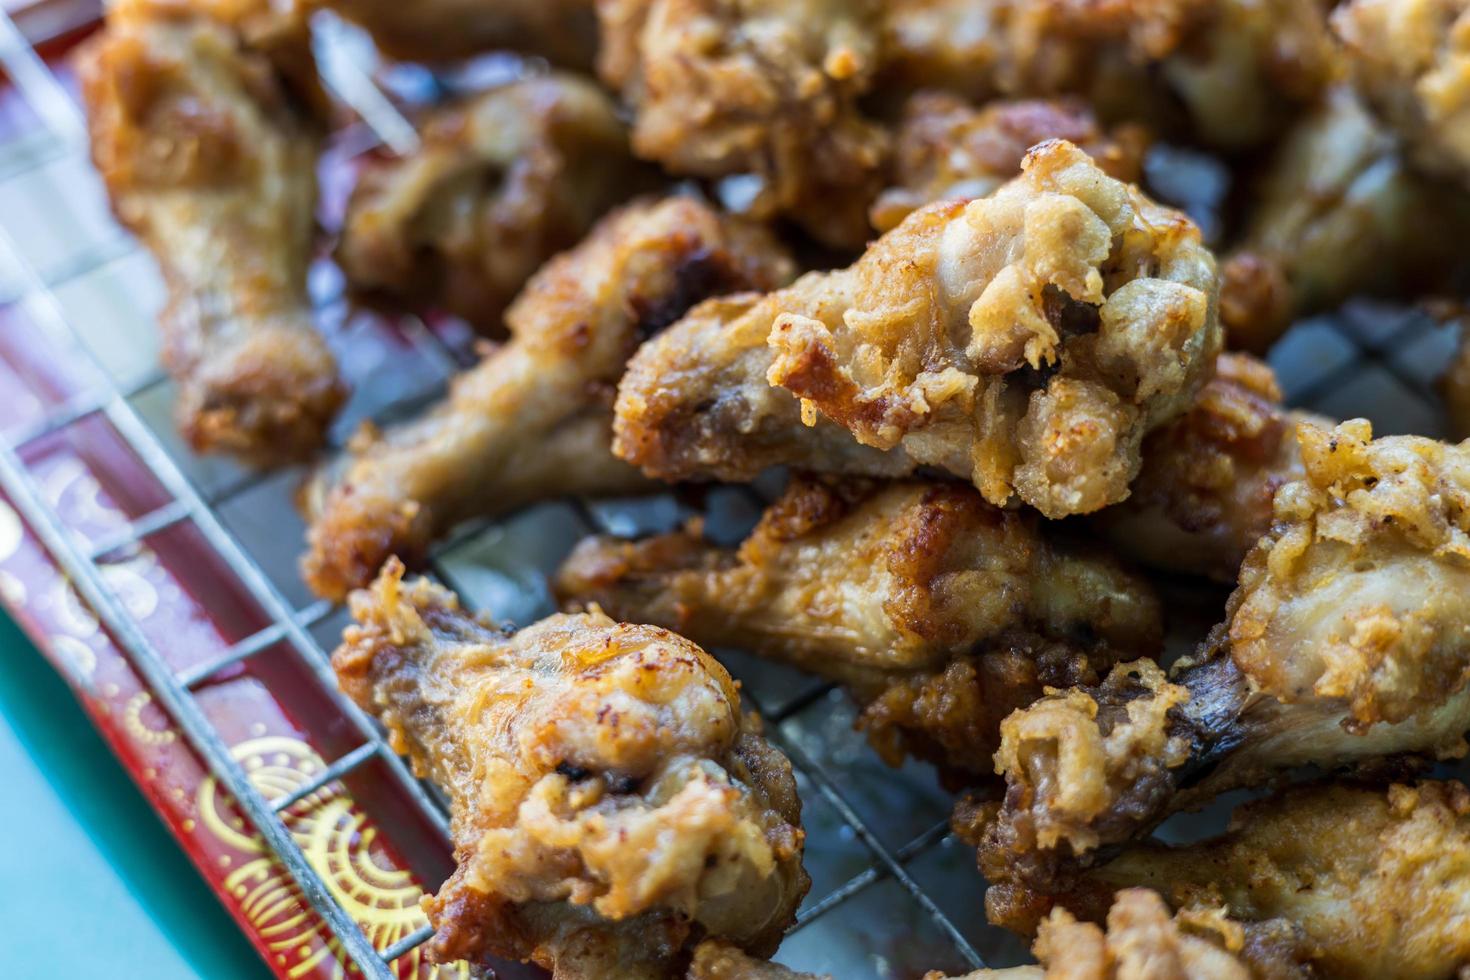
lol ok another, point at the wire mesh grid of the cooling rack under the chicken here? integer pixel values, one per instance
(893, 893)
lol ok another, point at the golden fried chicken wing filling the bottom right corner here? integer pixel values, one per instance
(1378, 882)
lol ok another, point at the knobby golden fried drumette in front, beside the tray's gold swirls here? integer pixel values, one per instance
(611, 803)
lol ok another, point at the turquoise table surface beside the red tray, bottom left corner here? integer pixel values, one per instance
(92, 885)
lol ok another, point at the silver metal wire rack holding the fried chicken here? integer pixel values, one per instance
(887, 854)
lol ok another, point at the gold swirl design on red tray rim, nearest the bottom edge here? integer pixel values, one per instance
(339, 843)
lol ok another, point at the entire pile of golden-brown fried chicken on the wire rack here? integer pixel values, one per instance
(922, 258)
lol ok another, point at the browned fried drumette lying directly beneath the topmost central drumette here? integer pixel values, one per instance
(937, 610)
